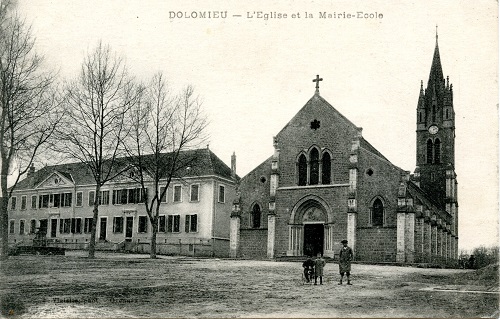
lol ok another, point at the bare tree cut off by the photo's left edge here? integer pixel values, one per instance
(29, 110)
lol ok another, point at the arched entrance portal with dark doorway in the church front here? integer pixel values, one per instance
(310, 232)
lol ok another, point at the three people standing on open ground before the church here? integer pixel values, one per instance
(313, 268)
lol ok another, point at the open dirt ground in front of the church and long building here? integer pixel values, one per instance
(119, 286)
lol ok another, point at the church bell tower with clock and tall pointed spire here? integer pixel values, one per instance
(435, 172)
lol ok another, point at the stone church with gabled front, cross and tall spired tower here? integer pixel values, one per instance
(325, 182)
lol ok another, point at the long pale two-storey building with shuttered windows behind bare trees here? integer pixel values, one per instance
(194, 214)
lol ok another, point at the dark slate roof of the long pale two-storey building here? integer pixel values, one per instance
(201, 162)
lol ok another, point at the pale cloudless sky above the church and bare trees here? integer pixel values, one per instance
(253, 69)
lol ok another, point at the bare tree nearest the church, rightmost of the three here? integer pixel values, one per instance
(163, 126)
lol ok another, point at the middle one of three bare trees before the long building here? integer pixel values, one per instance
(97, 103)
